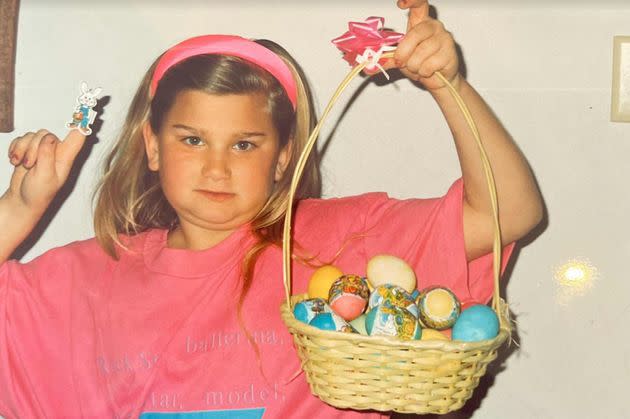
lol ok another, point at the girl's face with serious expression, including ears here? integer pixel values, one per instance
(218, 158)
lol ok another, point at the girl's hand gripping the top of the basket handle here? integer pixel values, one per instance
(426, 48)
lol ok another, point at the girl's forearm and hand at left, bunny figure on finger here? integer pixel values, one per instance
(42, 164)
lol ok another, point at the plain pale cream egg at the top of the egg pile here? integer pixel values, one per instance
(388, 269)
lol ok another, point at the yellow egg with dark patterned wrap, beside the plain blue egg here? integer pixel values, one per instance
(438, 308)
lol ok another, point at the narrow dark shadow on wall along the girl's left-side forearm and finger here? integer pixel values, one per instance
(68, 187)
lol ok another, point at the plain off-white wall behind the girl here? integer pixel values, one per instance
(545, 68)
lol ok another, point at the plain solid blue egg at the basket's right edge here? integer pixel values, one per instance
(478, 322)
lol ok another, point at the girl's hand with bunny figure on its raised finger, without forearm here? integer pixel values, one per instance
(42, 164)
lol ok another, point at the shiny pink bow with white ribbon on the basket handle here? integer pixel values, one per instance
(366, 42)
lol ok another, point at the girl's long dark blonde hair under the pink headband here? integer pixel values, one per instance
(129, 199)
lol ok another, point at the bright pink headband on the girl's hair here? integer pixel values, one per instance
(228, 45)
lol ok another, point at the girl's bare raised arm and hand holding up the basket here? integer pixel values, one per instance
(426, 48)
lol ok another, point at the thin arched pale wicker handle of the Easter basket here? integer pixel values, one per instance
(286, 238)
